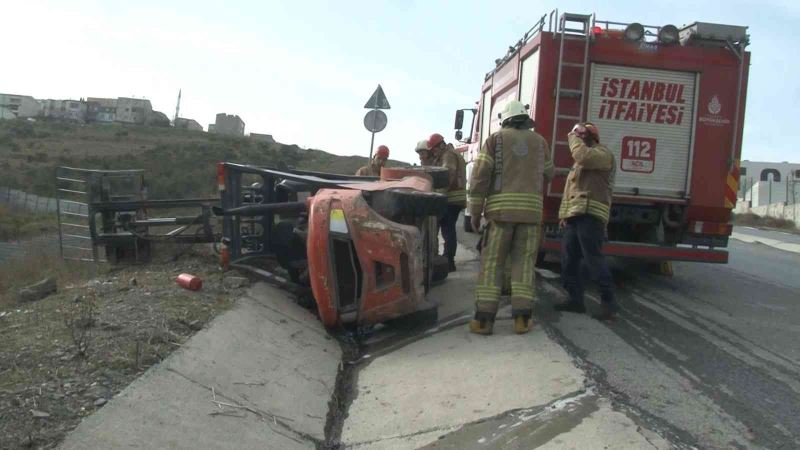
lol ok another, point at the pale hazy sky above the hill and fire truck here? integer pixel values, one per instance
(302, 70)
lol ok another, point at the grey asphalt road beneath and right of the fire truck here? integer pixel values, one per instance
(709, 357)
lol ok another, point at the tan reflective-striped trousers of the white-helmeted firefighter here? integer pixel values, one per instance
(520, 243)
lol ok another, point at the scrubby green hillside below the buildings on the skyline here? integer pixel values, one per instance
(177, 163)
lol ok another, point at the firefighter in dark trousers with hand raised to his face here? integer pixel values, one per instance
(583, 216)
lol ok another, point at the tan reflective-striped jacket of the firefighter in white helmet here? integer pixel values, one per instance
(507, 176)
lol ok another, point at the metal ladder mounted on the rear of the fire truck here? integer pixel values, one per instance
(575, 27)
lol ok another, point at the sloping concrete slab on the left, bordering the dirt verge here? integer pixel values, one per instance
(267, 356)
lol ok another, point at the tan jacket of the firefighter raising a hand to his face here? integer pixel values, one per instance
(590, 182)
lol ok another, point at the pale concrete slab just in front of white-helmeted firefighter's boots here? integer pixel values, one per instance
(453, 378)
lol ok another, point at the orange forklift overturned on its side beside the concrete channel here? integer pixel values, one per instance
(366, 247)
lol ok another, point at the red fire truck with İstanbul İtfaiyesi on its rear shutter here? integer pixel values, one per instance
(669, 103)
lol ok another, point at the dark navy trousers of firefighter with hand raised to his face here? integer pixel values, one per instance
(583, 241)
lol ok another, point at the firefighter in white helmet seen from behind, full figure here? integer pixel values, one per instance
(506, 187)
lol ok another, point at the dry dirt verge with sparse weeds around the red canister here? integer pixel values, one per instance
(65, 356)
